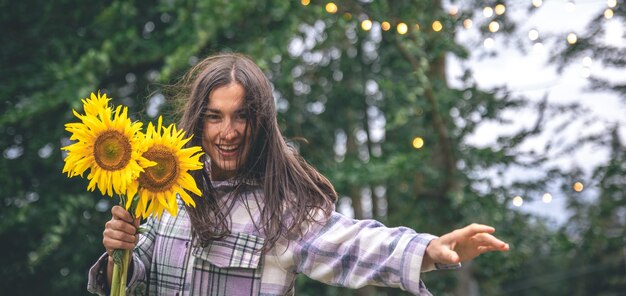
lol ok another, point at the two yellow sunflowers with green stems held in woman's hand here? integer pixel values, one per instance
(146, 171)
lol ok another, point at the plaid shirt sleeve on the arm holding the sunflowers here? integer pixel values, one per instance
(142, 256)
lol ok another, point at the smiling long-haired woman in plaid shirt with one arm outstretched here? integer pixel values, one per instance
(265, 214)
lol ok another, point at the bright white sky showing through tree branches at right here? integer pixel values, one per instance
(530, 75)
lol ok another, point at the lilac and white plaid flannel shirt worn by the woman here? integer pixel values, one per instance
(340, 251)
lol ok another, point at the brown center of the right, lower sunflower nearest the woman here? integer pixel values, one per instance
(164, 174)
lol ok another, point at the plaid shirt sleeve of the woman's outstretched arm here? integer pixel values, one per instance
(355, 253)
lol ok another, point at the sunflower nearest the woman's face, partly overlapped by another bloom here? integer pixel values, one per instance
(160, 184)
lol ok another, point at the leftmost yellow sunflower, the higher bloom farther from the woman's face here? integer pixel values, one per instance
(109, 145)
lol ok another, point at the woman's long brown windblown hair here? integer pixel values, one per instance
(293, 191)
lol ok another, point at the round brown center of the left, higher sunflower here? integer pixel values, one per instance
(112, 150)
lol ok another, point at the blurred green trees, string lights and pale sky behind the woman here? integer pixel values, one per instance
(426, 114)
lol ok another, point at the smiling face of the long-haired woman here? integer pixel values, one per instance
(223, 133)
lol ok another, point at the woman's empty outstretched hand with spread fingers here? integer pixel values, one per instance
(462, 245)
